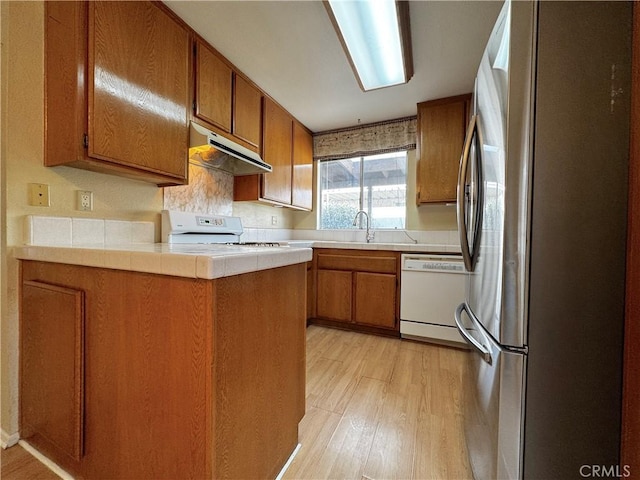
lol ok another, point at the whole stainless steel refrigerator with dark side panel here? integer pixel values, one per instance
(542, 215)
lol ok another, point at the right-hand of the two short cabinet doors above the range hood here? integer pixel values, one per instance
(247, 112)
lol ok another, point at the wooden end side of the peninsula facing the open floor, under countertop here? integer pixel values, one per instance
(259, 364)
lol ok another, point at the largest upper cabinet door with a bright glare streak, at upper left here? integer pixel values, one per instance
(139, 87)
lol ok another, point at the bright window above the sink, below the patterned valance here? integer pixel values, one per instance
(376, 184)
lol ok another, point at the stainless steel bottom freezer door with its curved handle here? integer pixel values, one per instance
(493, 403)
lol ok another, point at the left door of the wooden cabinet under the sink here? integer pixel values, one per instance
(334, 295)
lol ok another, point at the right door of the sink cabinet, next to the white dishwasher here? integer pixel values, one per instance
(375, 299)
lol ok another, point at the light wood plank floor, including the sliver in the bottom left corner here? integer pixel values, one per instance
(377, 408)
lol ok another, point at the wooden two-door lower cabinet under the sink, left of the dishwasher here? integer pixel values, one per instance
(357, 289)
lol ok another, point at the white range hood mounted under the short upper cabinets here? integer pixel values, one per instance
(214, 151)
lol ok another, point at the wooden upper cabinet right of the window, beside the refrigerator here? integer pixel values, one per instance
(441, 130)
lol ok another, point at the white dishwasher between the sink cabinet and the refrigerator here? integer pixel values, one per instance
(431, 286)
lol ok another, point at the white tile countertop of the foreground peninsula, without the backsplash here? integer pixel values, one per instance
(180, 260)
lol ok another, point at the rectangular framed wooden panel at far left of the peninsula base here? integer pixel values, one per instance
(52, 368)
